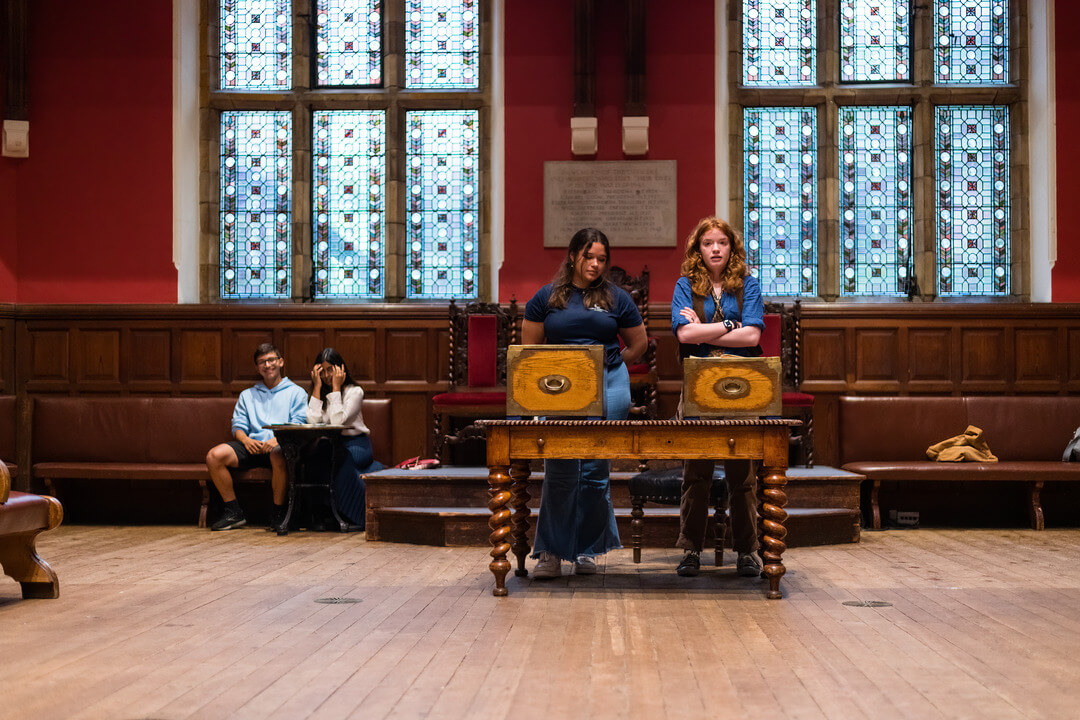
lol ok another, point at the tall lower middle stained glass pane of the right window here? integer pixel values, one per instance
(875, 200)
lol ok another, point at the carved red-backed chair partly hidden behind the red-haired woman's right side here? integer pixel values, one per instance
(782, 339)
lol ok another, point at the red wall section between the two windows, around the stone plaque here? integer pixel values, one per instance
(539, 103)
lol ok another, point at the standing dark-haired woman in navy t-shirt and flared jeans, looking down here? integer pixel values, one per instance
(582, 307)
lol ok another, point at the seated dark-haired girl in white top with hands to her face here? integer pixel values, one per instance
(337, 400)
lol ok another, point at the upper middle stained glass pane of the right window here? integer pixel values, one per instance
(875, 42)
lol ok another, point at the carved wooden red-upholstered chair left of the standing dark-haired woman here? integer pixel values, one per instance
(480, 335)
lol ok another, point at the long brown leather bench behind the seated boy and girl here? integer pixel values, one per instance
(148, 439)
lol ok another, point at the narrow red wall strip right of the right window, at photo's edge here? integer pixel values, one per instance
(1066, 273)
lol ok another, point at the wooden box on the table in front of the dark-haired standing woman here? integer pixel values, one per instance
(556, 381)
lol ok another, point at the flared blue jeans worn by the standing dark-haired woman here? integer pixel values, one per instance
(576, 513)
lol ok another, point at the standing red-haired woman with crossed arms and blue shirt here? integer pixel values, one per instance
(718, 282)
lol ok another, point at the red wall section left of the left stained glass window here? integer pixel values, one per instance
(94, 214)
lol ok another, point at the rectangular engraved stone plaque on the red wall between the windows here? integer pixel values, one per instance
(632, 202)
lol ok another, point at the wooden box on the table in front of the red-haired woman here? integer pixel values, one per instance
(732, 387)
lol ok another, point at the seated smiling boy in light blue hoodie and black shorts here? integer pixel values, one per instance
(275, 401)
